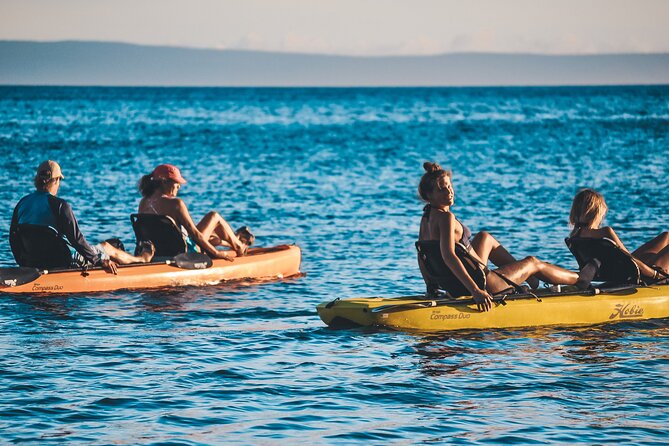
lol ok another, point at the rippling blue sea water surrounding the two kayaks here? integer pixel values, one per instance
(335, 171)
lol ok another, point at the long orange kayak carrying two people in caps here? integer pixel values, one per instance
(260, 263)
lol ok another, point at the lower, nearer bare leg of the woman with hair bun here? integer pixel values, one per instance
(520, 271)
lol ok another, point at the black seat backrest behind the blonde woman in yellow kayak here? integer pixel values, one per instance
(617, 266)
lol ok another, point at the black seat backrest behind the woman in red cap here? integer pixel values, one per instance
(162, 231)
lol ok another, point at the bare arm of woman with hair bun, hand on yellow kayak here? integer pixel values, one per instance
(446, 224)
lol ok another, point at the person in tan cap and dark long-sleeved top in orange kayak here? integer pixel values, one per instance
(43, 208)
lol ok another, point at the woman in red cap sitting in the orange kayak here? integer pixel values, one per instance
(159, 191)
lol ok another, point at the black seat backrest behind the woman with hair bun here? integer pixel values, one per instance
(429, 252)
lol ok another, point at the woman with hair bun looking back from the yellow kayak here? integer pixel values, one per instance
(439, 223)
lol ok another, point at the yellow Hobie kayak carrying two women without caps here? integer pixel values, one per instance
(544, 308)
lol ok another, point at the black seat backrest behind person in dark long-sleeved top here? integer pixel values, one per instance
(39, 247)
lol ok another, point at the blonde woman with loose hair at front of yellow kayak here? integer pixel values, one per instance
(586, 216)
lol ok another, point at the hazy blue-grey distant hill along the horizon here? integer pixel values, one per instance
(100, 63)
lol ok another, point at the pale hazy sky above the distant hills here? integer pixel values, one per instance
(351, 27)
